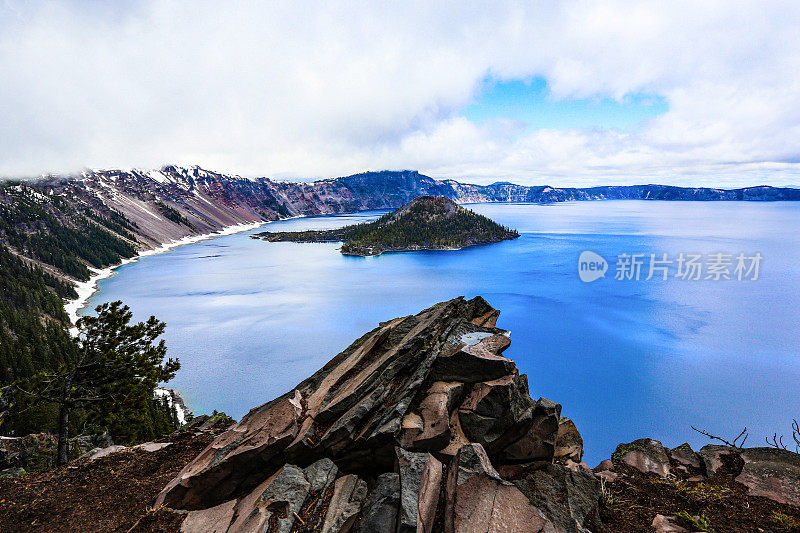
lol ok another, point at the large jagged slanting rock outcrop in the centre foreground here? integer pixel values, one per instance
(420, 425)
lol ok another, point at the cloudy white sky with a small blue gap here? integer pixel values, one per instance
(565, 93)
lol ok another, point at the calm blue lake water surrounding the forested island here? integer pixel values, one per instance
(626, 358)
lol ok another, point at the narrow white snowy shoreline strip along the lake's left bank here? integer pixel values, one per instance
(86, 289)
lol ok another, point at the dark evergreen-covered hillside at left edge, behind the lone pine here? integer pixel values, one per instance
(46, 241)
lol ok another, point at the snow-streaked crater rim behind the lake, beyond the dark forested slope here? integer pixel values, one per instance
(176, 201)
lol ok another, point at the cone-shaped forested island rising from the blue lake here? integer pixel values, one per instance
(427, 223)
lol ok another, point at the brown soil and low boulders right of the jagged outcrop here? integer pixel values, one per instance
(717, 489)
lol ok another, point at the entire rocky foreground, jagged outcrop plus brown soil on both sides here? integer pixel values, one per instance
(420, 425)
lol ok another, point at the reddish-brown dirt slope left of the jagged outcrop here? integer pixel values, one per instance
(109, 494)
